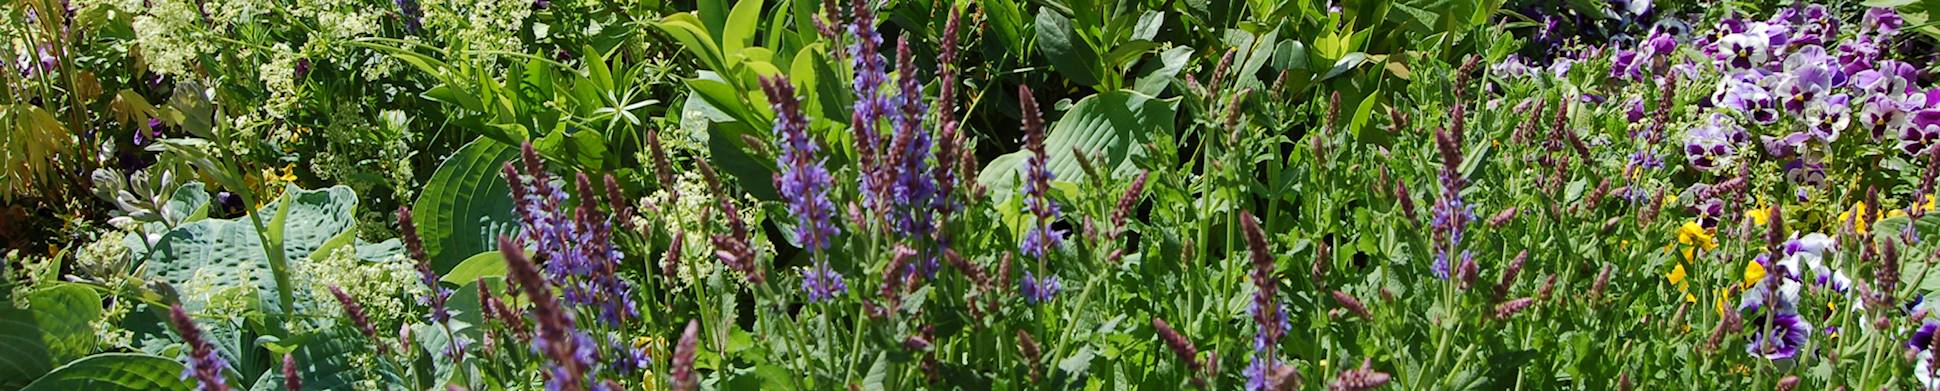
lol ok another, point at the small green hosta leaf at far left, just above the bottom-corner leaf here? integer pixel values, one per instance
(67, 315)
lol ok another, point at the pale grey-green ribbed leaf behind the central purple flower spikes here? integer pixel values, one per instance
(1111, 129)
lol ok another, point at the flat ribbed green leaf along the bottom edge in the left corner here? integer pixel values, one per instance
(115, 371)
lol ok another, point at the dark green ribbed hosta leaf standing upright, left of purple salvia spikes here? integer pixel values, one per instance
(467, 206)
